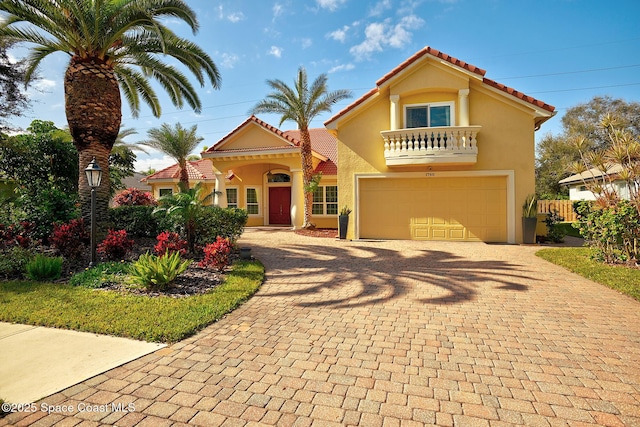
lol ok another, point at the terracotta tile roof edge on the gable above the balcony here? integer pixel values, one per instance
(454, 61)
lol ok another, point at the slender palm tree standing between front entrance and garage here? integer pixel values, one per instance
(301, 104)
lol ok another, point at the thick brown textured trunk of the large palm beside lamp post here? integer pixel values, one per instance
(94, 113)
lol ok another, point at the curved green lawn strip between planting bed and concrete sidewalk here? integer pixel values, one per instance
(159, 319)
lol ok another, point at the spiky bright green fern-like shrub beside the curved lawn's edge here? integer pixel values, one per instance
(157, 272)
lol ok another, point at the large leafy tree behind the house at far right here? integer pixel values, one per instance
(556, 154)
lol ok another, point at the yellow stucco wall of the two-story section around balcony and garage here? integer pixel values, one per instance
(505, 142)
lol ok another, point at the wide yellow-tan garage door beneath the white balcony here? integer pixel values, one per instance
(467, 209)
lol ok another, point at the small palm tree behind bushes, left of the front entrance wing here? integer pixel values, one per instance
(177, 143)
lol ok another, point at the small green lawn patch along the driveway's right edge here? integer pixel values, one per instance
(622, 279)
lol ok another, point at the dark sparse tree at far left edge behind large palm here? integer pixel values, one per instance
(13, 100)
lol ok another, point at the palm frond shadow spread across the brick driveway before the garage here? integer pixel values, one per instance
(367, 273)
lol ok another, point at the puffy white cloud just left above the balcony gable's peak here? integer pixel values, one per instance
(380, 35)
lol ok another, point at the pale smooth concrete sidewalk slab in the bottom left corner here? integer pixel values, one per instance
(36, 362)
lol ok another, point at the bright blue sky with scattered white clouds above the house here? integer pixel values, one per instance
(562, 52)
